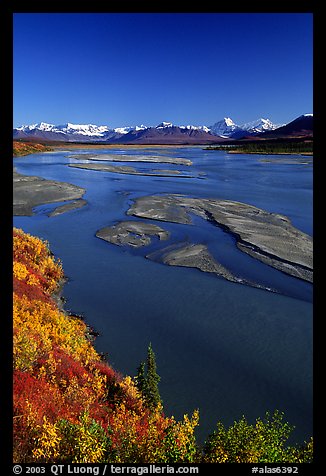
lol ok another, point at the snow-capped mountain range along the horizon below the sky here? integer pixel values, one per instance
(165, 132)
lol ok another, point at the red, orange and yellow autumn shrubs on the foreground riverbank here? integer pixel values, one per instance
(71, 406)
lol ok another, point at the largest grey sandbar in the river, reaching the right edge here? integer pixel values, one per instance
(268, 237)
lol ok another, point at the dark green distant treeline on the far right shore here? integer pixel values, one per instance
(267, 147)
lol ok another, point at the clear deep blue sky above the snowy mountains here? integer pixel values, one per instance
(122, 69)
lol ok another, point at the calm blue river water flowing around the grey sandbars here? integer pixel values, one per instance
(225, 348)
